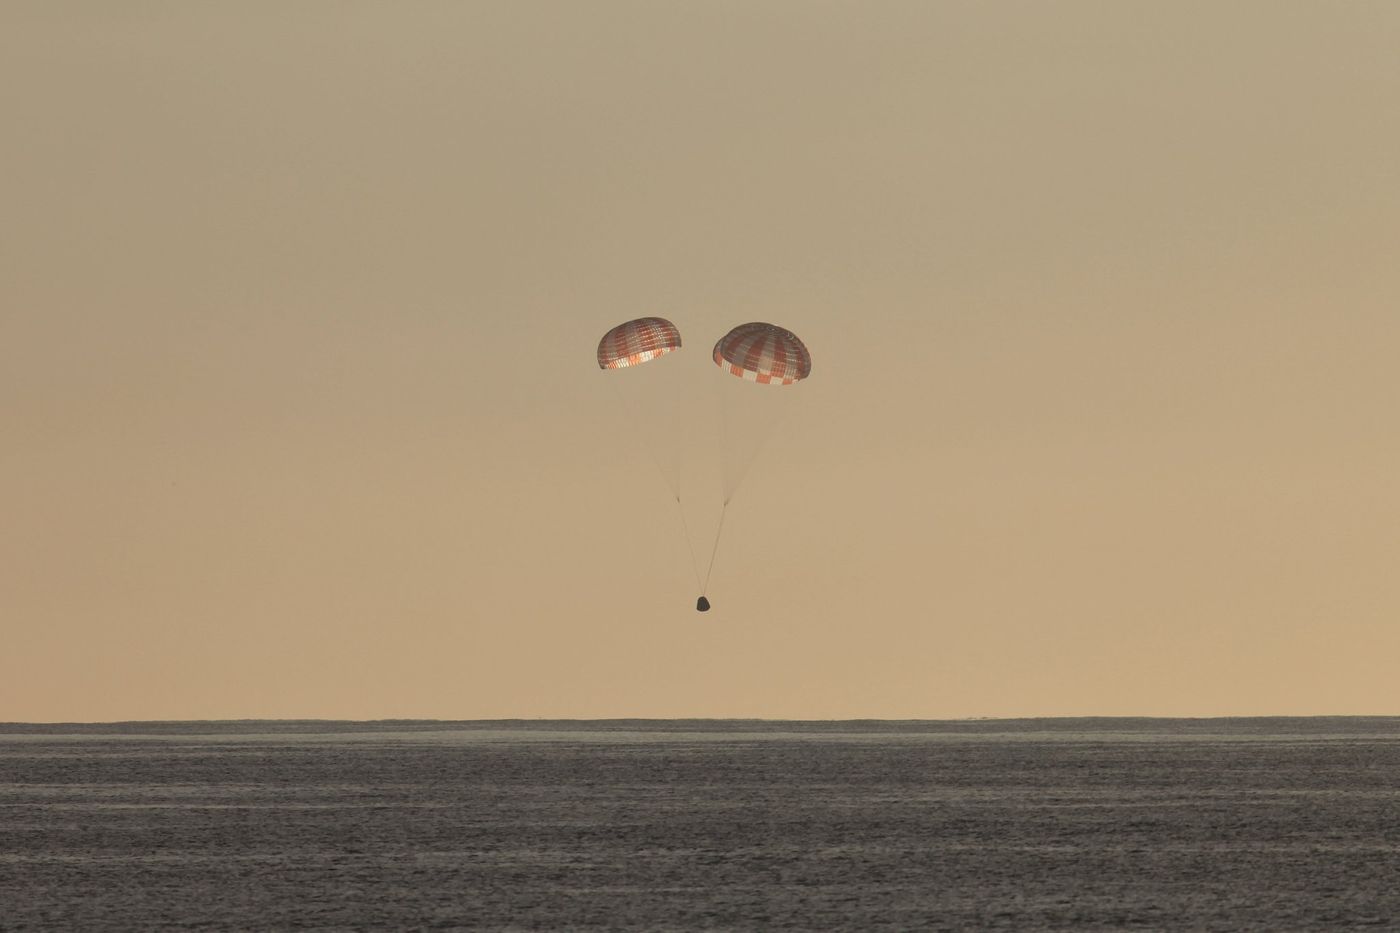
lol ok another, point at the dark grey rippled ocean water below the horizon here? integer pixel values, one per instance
(1279, 824)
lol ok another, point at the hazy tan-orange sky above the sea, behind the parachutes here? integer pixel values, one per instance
(302, 417)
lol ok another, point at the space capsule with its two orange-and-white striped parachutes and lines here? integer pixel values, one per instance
(758, 352)
